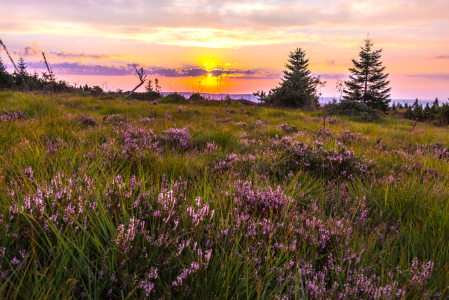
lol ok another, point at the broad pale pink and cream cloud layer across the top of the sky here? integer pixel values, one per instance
(229, 24)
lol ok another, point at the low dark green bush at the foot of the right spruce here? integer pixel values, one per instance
(352, 108)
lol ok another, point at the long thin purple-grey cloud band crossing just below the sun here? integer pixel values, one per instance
(79, 68)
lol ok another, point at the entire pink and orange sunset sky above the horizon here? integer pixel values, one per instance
(187, 44)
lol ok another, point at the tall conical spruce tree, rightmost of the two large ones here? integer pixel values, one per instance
(368, 83)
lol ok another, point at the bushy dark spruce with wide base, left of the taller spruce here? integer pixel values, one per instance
(298, 88)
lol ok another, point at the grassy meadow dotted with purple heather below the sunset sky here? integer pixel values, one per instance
(111, 198)
